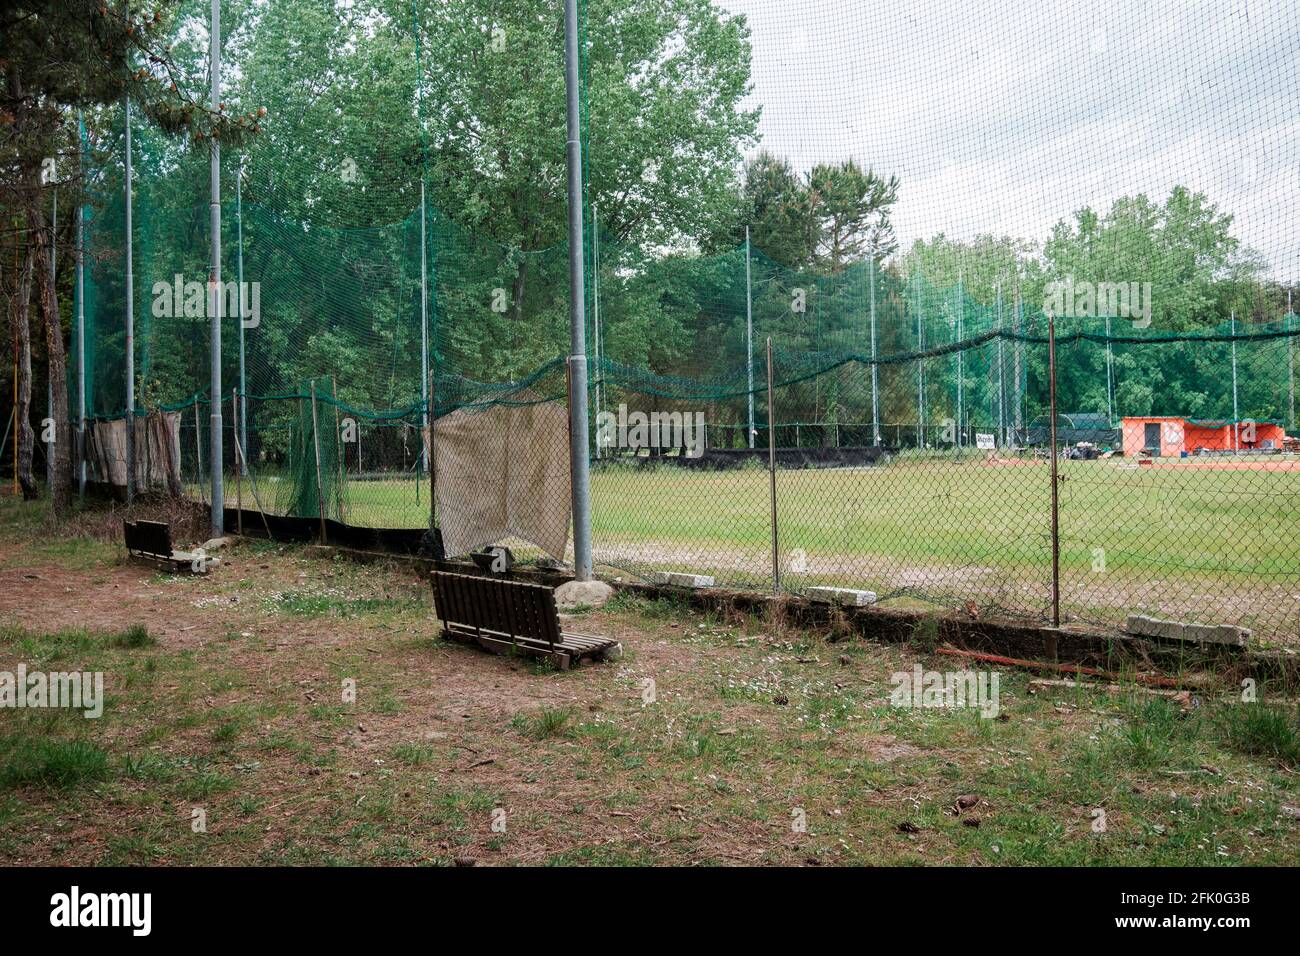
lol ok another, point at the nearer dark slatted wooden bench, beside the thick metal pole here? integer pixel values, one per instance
(512, 617)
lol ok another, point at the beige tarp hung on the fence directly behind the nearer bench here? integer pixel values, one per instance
(504, 473)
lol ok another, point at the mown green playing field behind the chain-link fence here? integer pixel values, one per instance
(1189, 539)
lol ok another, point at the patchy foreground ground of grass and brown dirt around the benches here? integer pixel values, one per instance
(760, 746)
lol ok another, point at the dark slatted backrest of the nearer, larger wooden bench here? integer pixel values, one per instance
(495, 604)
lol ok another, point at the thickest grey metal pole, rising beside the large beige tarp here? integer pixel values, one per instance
(579, 464)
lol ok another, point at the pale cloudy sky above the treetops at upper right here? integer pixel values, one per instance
(1006, 116)
